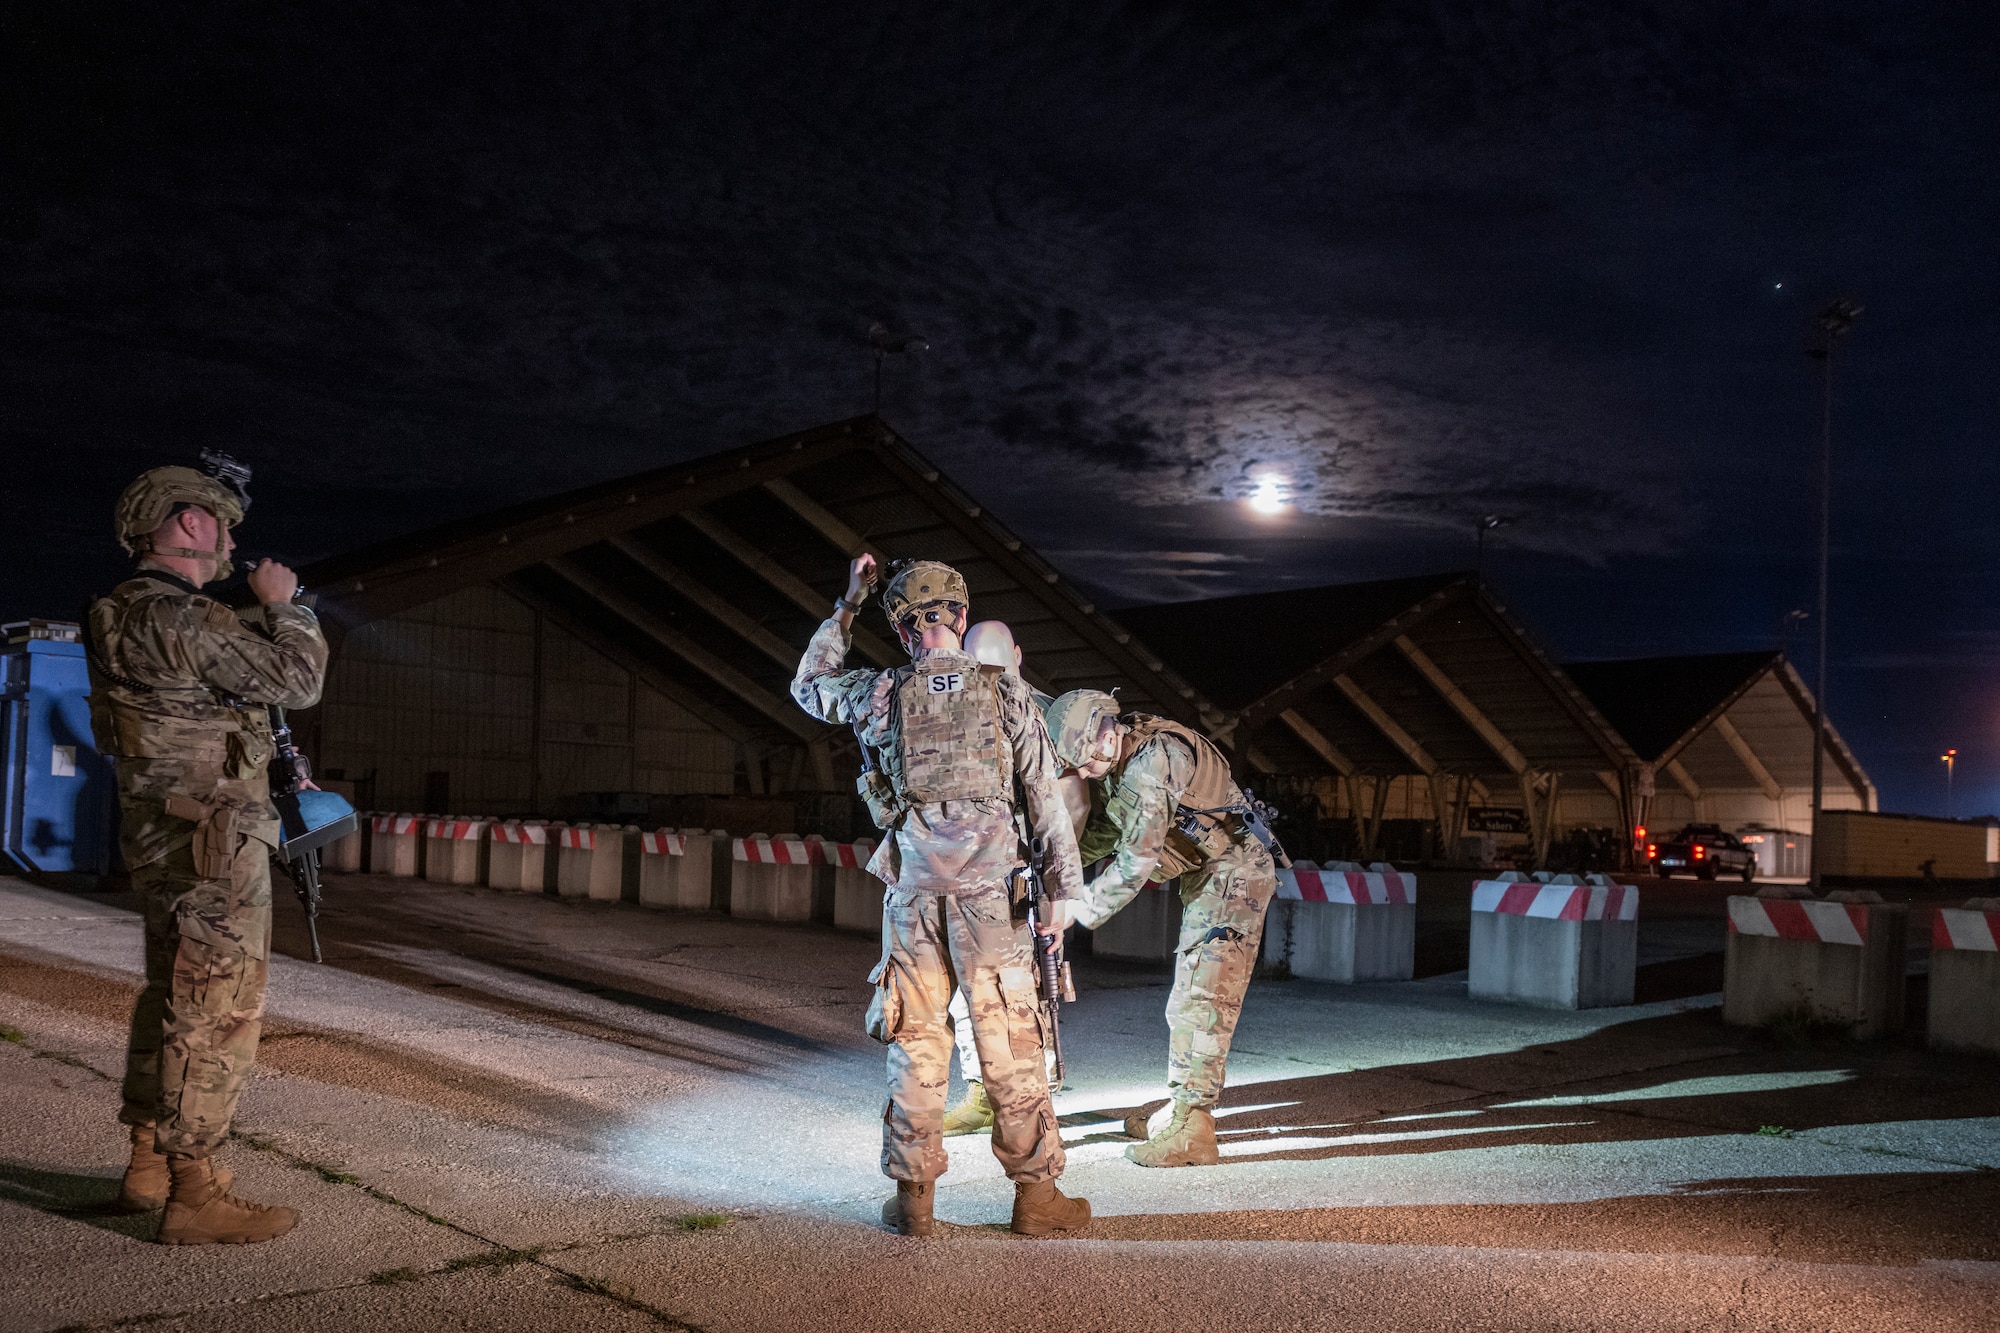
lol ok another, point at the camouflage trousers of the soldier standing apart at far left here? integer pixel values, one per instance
(197, 1022)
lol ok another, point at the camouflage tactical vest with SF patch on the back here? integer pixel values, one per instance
(949, 744)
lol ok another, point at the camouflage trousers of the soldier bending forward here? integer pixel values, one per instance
(1223, 910)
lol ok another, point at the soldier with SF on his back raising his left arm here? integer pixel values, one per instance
(953, 740)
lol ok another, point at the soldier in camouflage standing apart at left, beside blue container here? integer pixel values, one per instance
(179, 692)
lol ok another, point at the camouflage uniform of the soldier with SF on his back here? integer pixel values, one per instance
(947, 920)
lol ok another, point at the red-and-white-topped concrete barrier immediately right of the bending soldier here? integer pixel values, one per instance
(1343, 924)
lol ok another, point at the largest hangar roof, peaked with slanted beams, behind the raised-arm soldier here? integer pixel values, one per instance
(709, 577)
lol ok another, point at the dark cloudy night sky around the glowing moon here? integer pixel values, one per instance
(1411, 263)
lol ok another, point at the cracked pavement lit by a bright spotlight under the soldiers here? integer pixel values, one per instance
(509, 1112)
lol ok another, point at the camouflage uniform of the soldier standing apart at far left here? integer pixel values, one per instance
(179, 692)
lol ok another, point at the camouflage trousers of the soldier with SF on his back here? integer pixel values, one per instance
(933, 946)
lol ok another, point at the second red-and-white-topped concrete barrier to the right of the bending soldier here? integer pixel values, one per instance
(1565, 944)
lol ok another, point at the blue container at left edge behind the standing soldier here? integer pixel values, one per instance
(57, 796)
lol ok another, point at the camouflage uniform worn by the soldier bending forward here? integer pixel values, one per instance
(1227, 884)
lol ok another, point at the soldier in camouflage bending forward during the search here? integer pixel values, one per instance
(1165, 808)
